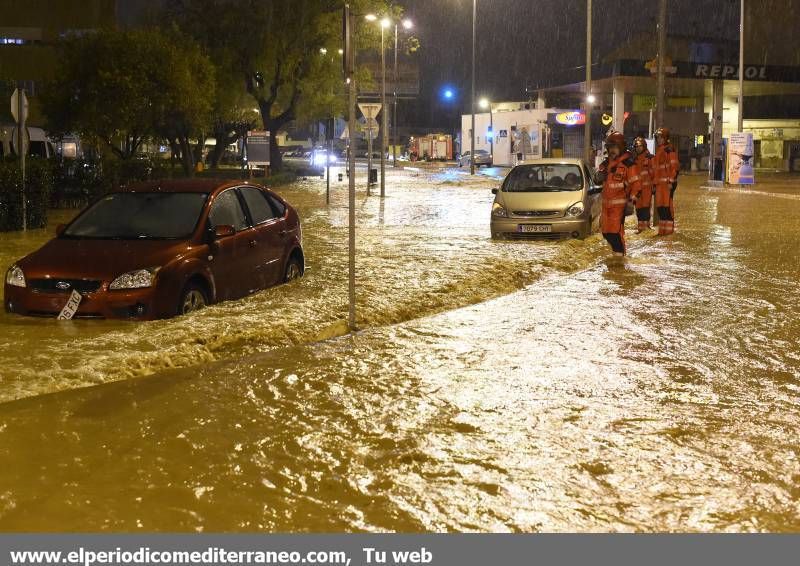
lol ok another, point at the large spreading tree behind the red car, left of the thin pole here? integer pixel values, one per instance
(285, 52)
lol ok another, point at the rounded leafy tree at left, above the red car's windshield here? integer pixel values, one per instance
(123, 87)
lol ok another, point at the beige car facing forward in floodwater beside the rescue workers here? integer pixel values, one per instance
(546, 198)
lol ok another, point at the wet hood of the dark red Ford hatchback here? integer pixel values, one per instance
(99, 259)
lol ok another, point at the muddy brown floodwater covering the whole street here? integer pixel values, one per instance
(571, 393)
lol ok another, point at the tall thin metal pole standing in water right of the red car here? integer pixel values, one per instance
(349, 64)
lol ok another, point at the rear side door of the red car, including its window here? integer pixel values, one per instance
(270, 234)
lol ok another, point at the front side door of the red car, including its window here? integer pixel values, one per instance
(234, 257)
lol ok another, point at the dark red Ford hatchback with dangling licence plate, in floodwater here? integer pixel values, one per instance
(159, 249)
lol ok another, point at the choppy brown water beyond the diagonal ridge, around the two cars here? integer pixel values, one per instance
(425, 249)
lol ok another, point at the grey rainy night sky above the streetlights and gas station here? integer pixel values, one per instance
(520, 41)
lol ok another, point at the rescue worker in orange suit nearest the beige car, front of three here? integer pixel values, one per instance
(621, 185)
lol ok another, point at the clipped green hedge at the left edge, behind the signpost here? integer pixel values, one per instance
(38, 188)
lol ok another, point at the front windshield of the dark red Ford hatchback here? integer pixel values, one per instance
(139, 216)
